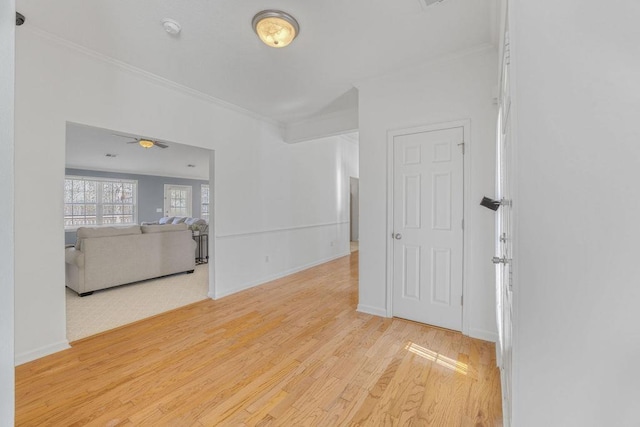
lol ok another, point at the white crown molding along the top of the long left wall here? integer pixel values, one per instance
(153, 78)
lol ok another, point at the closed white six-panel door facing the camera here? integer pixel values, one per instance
(427, 226)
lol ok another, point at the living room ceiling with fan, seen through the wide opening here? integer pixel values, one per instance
(87, 147)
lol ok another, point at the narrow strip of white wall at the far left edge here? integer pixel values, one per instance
(7, 62)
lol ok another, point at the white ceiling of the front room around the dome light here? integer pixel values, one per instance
(341, 42)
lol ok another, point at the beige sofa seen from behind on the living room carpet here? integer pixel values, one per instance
(108, 256)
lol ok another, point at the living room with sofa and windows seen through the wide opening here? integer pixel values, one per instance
(137, 220)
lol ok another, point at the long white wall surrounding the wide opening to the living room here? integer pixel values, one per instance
(268, 194)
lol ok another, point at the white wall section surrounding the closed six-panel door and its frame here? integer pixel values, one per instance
(455, 89)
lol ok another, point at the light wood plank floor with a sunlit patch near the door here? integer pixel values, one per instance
(290, 353)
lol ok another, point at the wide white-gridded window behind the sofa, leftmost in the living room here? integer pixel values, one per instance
(99, 201)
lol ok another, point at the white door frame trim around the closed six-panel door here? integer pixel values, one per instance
(465, 124)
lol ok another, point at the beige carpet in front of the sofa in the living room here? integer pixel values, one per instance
(114, 307)
